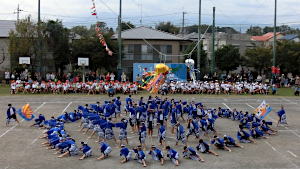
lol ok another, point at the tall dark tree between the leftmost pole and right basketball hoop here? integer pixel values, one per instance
(58, 39)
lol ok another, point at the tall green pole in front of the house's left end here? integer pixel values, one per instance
(120, 42)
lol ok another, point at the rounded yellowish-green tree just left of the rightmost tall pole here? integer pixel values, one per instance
(259, 57)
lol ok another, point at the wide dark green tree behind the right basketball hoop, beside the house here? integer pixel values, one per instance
(91, 47)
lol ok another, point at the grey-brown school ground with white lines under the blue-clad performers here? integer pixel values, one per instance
(21, 146)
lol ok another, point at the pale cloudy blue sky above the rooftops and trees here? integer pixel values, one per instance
(239, 14)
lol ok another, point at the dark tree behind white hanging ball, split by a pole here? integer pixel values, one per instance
(203, 59)
